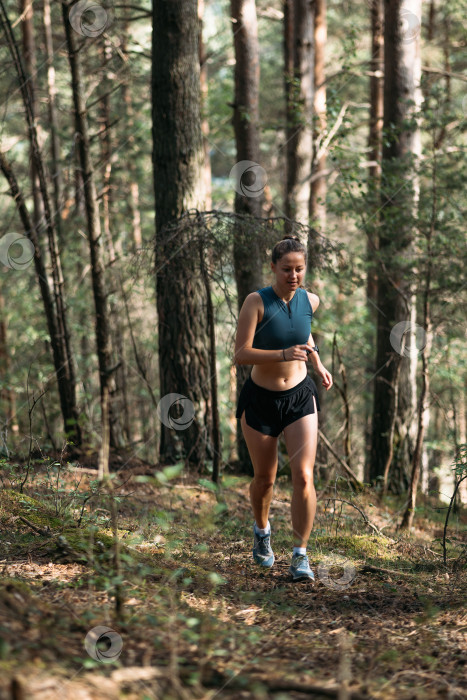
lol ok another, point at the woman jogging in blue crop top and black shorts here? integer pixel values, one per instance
(274, 336)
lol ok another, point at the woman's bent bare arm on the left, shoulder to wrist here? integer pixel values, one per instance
(245, 354)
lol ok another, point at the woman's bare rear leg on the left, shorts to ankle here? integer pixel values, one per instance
(263, 455)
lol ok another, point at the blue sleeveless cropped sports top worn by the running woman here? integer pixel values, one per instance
(283, 324)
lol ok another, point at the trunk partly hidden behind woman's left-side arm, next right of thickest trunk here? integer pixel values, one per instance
(248, 175)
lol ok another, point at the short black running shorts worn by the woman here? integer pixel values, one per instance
(270, 412)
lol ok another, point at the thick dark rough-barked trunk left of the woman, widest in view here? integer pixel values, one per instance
(178, 159)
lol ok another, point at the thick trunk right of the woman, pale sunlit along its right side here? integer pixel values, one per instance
(395, 272)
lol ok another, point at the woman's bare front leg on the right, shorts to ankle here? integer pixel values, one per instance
(301, 440)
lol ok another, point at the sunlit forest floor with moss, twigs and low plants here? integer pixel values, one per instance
(178, 609)
